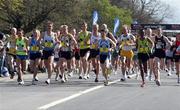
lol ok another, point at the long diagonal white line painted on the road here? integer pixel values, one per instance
(45, 107)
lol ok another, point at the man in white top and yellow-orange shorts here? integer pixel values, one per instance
(126, 41)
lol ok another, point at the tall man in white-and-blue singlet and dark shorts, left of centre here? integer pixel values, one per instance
(48, 41)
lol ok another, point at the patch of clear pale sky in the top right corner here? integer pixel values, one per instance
(175, 8)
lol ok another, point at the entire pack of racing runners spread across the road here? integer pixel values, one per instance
(67, 52)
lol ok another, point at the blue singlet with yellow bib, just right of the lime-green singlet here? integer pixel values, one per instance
(34, 46)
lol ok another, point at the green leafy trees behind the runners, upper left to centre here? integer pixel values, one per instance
(31, 14)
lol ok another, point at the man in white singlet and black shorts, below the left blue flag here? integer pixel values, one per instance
(94, 52)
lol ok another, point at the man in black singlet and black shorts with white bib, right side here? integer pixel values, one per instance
(160, 44)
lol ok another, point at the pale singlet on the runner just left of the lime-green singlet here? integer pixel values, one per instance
(12, 45)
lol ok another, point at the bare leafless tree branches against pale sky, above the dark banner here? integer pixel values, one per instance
(145, 11)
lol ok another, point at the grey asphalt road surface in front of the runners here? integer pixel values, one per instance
(87, 95)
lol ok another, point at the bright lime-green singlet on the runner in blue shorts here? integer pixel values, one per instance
(21, 47)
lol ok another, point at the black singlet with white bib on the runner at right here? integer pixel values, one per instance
(160, 44)
